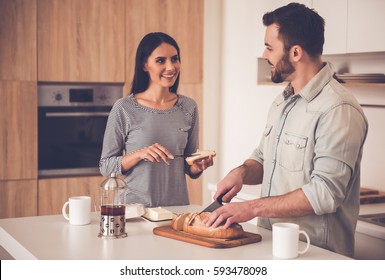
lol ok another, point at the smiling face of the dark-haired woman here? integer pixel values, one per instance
(163, 66)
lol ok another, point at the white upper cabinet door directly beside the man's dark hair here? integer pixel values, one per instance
(335, 14)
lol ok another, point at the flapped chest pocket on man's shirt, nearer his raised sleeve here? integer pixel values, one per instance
(292, 153)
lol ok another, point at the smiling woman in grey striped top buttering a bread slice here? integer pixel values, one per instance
(149, 131)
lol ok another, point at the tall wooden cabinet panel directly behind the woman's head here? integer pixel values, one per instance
(183, 20)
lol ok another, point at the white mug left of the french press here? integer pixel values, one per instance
(79, 212)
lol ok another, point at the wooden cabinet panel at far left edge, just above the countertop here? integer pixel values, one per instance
(18, 198)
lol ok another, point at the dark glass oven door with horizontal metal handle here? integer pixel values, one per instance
(70, 140)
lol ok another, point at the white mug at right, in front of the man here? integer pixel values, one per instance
(285, 240)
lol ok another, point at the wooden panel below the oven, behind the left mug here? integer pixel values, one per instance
(53, 193)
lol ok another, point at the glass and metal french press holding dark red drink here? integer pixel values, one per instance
(112, 208)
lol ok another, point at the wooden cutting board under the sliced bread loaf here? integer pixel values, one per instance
(247, 238)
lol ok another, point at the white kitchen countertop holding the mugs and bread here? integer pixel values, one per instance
(52, 237)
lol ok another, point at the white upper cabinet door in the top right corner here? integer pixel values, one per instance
(366, 25)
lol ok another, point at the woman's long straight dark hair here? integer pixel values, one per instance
(146, 46)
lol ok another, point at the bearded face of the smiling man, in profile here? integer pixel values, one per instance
(276, 56)
